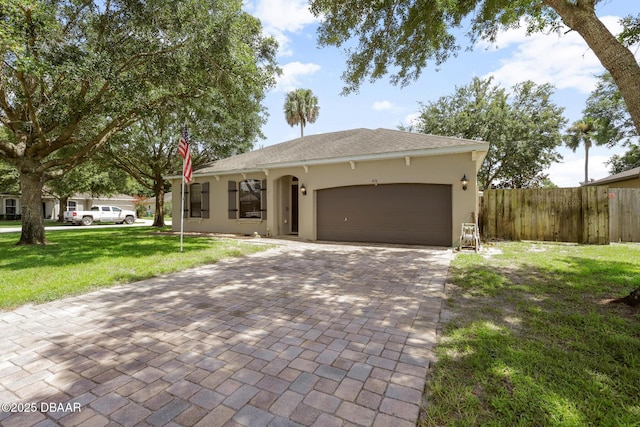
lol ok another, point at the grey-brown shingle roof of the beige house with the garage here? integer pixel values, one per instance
(355, 144)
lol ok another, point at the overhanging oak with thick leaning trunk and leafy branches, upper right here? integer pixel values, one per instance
(405, 35)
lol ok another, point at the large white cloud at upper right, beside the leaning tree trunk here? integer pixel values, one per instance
(563, 60)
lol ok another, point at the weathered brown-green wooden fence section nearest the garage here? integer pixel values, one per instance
(579, 215)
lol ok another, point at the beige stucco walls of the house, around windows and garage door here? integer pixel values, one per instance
(440, 169)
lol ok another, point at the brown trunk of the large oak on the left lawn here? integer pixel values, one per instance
(31, 204)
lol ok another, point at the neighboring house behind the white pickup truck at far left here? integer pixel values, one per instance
(10, 204)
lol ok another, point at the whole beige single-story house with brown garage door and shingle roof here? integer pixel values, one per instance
(359, 185)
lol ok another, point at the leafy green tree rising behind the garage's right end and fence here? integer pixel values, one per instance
(523, 129)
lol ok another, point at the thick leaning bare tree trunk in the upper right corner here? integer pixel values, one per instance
(615, 57)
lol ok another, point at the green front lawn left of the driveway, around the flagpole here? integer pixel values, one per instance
(84, 259)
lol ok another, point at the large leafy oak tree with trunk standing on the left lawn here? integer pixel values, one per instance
(74, 73)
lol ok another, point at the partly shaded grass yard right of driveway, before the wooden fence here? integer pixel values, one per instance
(530, 339)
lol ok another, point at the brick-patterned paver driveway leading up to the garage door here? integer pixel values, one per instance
(303, 334)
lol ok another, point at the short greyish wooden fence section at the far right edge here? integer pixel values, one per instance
(624, 214)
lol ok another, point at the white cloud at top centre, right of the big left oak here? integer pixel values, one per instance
(280, 17)
